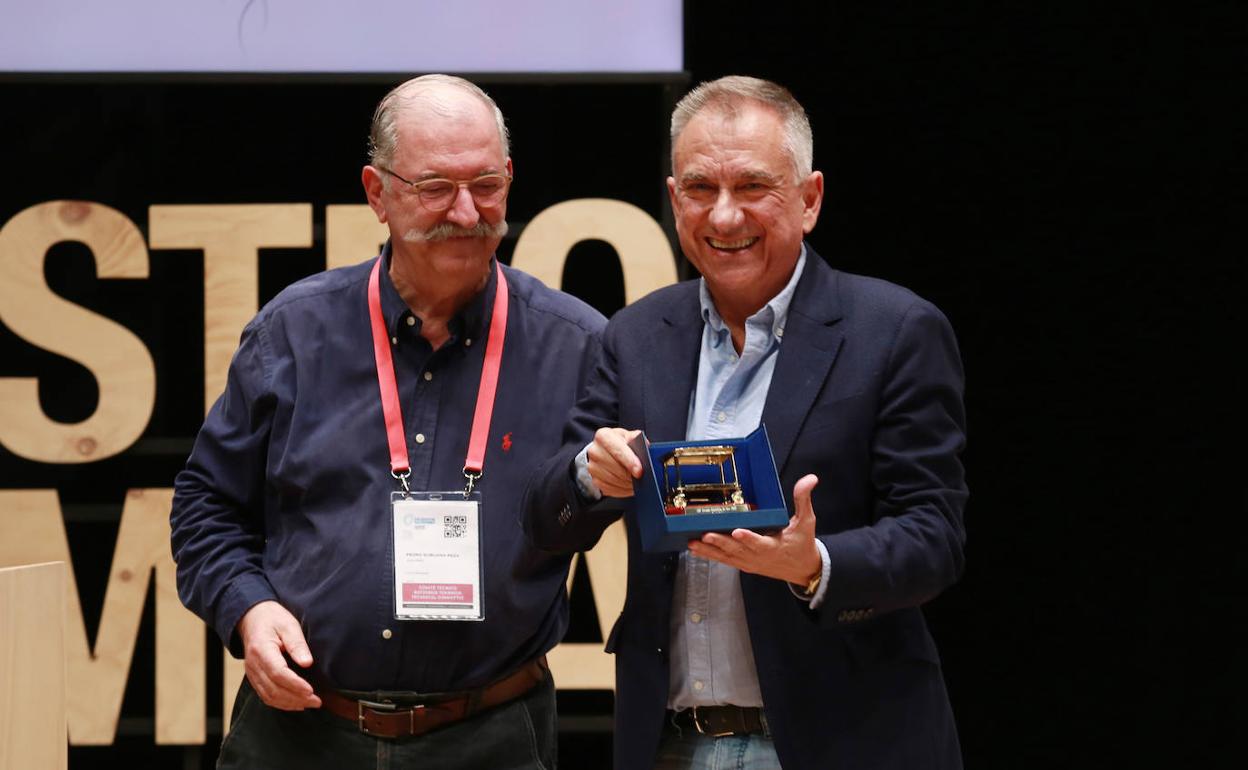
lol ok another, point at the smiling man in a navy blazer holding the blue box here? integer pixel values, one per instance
(802, 648)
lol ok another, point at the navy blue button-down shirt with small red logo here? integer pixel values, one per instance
(286, 495)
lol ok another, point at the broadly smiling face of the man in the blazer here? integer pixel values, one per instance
(739, 205)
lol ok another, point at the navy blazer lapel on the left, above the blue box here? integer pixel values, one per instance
(672, 369)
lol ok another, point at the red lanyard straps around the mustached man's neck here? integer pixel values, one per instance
(485, 411)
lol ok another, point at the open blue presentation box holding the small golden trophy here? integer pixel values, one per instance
(756, 474)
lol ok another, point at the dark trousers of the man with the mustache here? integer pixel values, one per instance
(520, 734)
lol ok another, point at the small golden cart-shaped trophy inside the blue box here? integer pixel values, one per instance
(690, 481)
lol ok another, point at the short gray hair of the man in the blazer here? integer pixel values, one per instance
(728, 94)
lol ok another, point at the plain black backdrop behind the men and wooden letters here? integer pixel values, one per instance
(1066, 182)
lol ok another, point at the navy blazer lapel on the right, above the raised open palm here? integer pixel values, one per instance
(812, 341)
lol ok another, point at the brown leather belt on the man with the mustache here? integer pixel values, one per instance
(394, 718)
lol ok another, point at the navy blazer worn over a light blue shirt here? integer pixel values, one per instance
(868, 395)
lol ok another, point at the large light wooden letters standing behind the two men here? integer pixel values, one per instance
(32, 527)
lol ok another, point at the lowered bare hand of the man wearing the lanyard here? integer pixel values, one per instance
(269, 630)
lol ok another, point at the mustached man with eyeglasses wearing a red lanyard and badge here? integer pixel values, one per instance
(349, 521)
